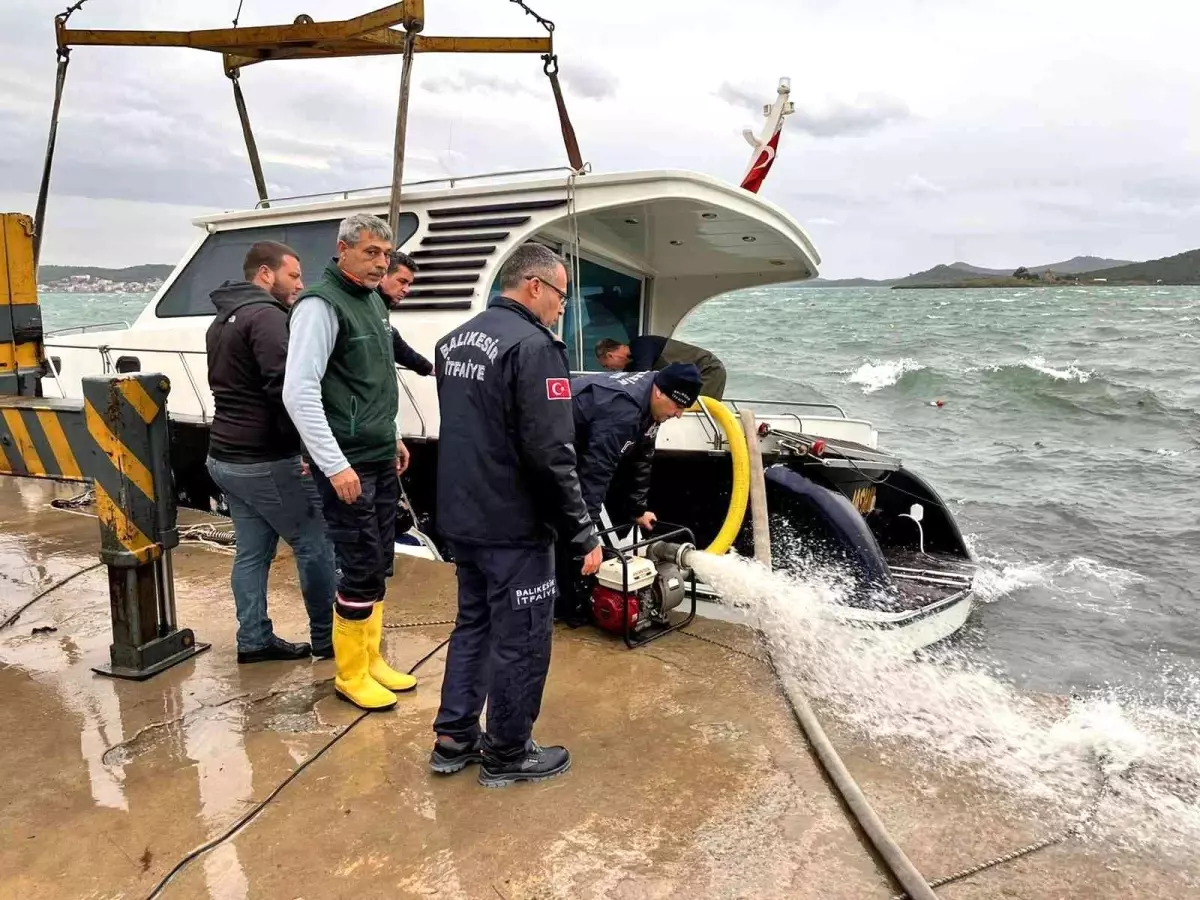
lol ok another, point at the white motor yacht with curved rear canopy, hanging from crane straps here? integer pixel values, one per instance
(647, 250)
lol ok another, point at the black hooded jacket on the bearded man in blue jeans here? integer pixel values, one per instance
(248, 351)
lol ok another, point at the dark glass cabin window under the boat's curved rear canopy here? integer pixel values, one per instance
(613, 308)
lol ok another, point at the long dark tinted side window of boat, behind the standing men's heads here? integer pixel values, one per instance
(220, 259)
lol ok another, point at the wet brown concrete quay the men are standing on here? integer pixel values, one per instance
(691, 779)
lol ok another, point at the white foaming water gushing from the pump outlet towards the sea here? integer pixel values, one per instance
(969, 721)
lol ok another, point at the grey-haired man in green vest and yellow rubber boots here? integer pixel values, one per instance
(340, 389)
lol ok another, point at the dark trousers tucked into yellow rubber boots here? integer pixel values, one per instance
(364, 536)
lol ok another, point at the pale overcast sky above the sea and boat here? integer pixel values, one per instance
(927, 131)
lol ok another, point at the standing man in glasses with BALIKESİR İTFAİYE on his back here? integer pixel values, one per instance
(507, 488)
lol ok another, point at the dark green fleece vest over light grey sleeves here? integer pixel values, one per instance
(359, 391)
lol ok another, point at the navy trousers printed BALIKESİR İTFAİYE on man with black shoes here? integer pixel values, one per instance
(500, 650)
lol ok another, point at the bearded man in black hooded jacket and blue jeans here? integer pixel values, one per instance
(255, 455)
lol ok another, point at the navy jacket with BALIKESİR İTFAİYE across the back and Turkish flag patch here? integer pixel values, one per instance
(506, 451)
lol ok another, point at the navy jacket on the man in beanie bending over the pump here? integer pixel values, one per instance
(614, 423)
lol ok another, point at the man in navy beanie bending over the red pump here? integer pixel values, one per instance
(617, 418)
